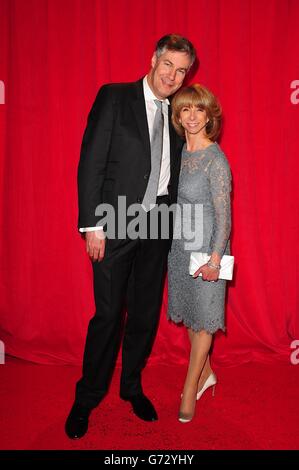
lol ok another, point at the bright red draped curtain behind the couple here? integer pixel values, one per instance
(54, 55)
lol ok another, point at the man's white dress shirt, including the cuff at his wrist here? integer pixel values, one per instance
(151, 109)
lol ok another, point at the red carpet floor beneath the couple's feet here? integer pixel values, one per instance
(255, 406)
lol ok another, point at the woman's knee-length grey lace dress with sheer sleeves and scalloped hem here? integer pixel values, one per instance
(205, 179)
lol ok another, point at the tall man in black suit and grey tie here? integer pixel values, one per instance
(117, 160)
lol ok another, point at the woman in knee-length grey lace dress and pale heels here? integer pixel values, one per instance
(205, 183)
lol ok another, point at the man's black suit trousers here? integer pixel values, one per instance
(132, 271)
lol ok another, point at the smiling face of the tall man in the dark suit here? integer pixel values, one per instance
(168, 72)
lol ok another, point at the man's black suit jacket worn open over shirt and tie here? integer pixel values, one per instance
(115, 154)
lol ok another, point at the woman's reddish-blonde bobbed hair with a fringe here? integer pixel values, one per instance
(199, 96)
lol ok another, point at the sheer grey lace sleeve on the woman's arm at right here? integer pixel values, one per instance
(220, 181)
